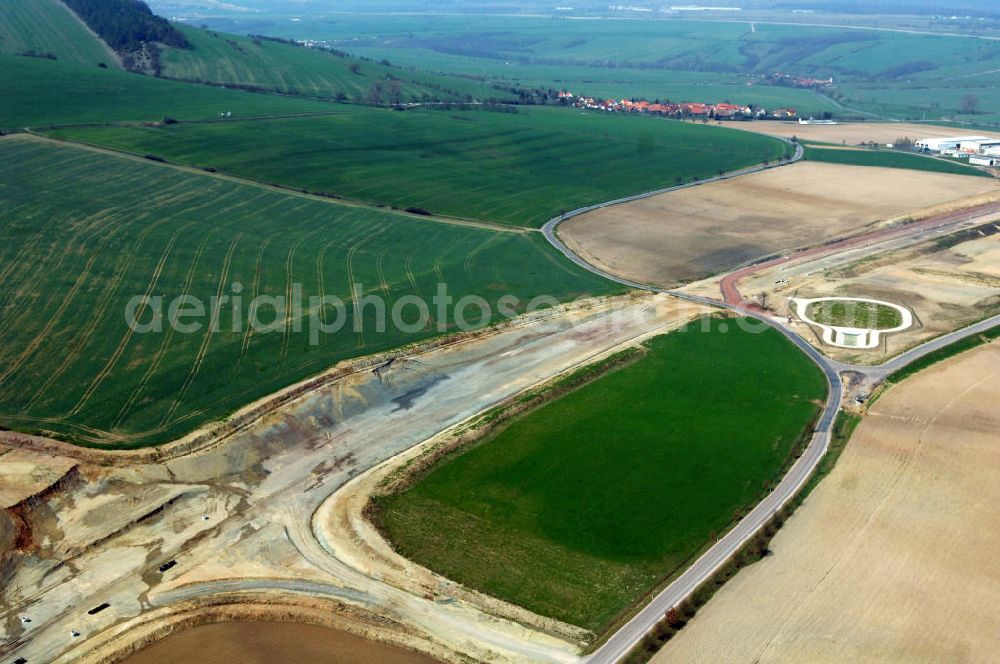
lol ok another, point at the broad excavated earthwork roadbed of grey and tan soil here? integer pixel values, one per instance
(237, 517)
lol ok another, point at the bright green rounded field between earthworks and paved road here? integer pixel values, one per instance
(580, 507)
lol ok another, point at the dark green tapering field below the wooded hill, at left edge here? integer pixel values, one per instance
(37, 93)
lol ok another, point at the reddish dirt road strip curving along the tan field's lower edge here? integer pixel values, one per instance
(730, 283)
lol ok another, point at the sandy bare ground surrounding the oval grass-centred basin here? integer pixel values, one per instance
(945, 289)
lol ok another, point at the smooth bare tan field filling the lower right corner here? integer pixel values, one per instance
(893, 557)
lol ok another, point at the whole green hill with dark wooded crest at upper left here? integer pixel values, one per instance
(50, 30)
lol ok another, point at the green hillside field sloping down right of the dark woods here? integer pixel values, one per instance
(289, 69)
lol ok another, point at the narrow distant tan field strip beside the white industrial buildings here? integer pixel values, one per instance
(854, 133)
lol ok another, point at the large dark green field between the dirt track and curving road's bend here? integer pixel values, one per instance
(513, 168)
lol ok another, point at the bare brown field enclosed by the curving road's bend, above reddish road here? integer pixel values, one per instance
(691, 234)
